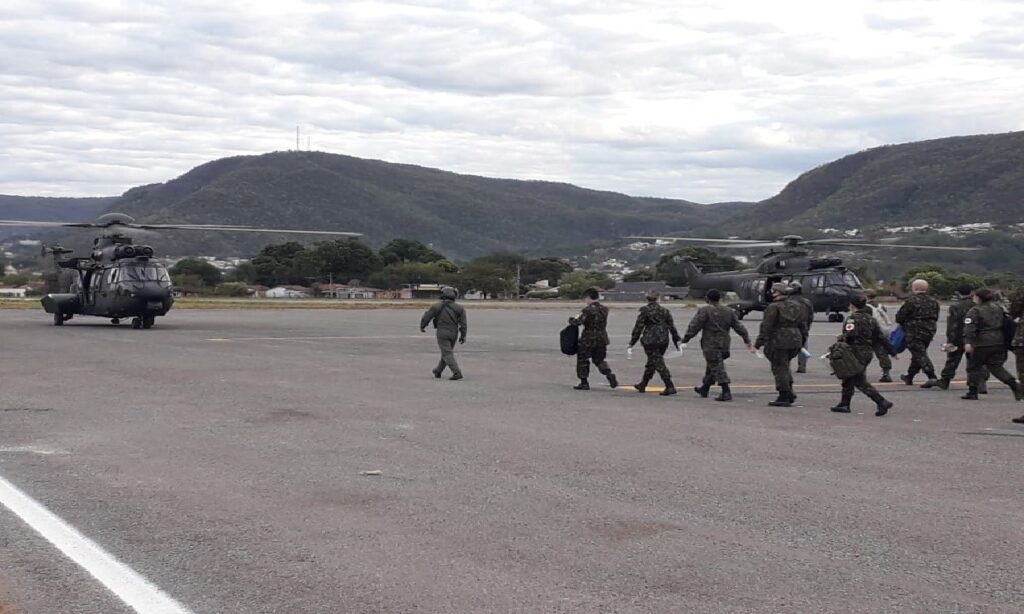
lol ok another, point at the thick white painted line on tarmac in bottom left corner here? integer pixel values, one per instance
(130, 587)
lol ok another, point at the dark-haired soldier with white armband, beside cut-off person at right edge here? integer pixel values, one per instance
(986, 346)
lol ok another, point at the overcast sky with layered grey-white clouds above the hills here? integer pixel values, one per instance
(695, 100)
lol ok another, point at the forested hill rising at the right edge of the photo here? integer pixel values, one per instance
(950, 182)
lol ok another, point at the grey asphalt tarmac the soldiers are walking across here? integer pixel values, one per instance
(222, 456)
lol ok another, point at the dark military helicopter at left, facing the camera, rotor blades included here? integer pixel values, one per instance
(119, 280)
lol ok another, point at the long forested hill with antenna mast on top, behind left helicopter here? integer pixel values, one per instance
(460, 215)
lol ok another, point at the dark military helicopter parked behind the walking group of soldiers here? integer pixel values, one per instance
(826, 282)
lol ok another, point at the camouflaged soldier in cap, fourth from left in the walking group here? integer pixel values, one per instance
(784, 333)
